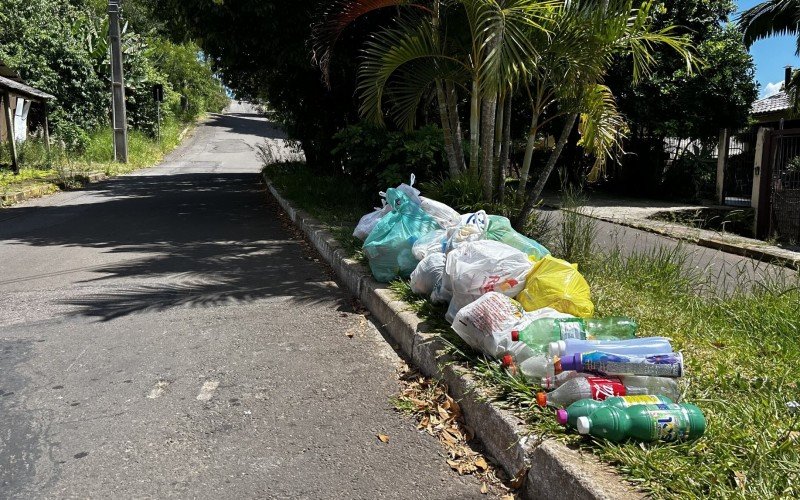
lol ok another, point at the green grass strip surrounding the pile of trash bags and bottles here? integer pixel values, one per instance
(741, 347)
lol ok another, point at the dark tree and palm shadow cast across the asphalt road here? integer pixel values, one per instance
(194, 240)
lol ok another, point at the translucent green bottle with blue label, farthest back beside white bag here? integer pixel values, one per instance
(540, 332)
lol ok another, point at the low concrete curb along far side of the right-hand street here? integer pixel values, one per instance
(785, 258)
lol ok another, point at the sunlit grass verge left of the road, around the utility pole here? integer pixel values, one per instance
(60, 170)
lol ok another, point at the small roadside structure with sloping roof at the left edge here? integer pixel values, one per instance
(16, 98)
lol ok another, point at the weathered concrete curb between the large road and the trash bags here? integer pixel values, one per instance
(549, 467)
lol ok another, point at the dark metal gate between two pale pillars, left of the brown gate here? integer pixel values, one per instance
(738, 180)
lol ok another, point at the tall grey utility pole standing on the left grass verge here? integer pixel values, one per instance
(119, 118)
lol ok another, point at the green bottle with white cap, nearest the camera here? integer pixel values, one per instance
(660, 422)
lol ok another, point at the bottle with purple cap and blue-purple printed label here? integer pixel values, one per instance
(669, 364)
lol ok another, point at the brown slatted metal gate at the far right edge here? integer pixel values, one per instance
(783, 159)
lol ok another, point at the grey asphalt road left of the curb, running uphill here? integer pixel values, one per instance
(162, 334)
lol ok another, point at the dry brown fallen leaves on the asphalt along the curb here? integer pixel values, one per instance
(440, 416)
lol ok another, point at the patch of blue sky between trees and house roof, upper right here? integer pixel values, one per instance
(770, 56)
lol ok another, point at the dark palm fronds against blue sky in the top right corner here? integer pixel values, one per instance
(771, 18)
